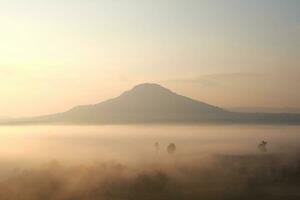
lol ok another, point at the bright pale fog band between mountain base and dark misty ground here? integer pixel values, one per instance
(135, 144)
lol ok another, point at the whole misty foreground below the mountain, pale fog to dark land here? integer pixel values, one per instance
(132, 162)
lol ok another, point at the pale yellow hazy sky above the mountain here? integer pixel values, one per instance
(55, 54)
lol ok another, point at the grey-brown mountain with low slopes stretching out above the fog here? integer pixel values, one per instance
(152, 103)
